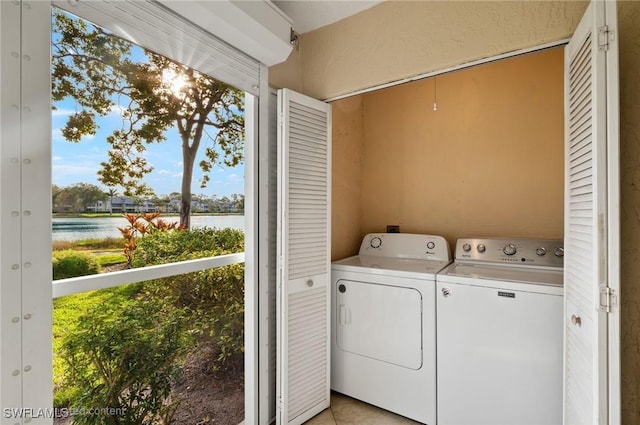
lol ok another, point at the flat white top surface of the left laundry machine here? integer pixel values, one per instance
(390, 266)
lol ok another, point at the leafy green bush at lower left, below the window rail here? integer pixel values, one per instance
(124, 359)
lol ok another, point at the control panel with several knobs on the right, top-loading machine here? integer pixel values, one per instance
(538, 252)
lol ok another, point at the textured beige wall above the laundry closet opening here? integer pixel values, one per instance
(398, 39)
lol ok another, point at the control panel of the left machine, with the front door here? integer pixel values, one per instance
(406, 245)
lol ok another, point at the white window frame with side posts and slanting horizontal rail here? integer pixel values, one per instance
(25, 216)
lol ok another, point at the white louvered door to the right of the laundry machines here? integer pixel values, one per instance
(591, 394)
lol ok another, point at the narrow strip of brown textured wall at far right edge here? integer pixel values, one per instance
(629, 28)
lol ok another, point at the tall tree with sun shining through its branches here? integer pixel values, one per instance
(97, 70)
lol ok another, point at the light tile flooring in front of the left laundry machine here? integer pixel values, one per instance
(347, 411)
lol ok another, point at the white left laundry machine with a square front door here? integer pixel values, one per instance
(383, 323)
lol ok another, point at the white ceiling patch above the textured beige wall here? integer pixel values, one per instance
(308, 15)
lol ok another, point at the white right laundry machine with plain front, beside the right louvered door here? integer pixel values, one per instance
(500, 333)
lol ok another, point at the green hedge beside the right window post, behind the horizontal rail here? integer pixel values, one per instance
(213, 299)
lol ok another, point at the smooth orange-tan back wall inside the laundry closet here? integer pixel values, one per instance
(488, 162)
